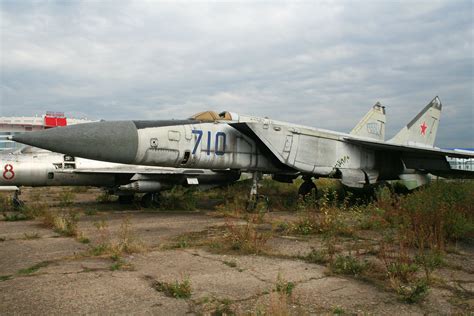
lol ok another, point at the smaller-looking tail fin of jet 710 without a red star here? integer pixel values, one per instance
(372, 124)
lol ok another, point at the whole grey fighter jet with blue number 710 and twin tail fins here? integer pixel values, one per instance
(260, 145)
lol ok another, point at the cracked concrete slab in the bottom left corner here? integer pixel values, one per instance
(86, 293)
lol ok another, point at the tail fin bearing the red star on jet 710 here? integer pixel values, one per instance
(421, 131)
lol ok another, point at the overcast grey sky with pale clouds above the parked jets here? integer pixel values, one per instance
(318, 63)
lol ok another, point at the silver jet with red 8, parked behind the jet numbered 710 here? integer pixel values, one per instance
(36, 167)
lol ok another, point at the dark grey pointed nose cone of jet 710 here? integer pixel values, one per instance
(107, 141)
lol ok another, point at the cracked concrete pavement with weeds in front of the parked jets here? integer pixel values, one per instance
(45, 273)
